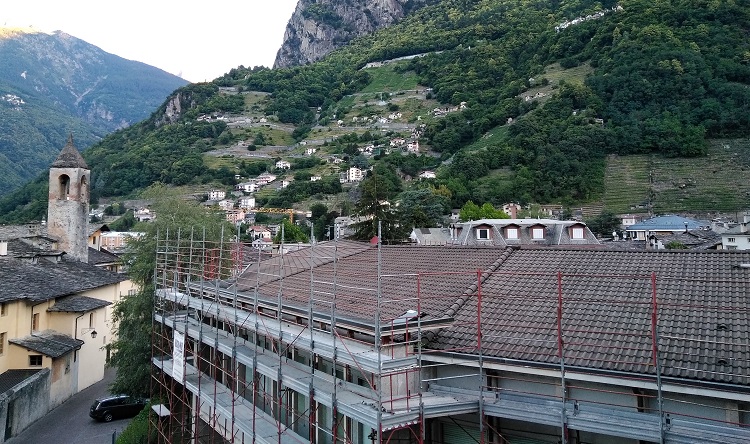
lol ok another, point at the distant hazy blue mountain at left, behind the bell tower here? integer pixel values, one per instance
(52, 85)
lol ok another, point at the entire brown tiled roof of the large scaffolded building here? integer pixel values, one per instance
(702, 302)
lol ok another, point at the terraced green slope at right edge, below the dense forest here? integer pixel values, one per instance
(719, 182)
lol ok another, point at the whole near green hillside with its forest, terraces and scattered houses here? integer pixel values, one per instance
(537, 102)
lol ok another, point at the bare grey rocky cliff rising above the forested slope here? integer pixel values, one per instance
(318, 27)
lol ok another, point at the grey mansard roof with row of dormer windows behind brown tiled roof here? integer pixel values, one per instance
(506, 232)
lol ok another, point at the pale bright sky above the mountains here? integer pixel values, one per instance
(196, 40)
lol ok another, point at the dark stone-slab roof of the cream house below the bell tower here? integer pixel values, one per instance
(42, 279)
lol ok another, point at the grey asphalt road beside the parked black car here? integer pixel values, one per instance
(69, 423)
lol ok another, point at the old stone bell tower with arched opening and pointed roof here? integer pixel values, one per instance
(68, 209)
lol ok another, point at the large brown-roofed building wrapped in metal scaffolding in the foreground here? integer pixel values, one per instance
(456, 344)
